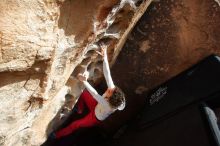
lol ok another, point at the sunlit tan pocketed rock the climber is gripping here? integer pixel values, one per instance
(44, 44)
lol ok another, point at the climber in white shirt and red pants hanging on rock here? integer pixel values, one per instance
(100, 107)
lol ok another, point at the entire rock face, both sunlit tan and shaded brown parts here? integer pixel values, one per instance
(44, 44)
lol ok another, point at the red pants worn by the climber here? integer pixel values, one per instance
(88, 121)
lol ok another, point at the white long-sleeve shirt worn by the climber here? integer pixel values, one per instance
(102, 109)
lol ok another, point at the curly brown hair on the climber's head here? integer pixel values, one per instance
(117, 98)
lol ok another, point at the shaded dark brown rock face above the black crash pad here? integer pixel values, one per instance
(170, 37)
